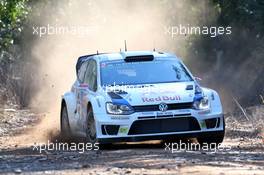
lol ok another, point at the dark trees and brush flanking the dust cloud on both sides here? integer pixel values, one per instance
(235, 61)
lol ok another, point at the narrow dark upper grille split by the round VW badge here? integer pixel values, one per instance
(173, 106)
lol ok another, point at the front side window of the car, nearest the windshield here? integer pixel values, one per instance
(91, 75)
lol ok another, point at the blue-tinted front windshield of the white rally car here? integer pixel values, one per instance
(146, 72)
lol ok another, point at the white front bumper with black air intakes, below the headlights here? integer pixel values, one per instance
(144, 126)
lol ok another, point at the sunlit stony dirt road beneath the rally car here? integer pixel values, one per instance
(18, 156)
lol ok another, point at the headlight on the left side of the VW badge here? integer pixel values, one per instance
(118, 109)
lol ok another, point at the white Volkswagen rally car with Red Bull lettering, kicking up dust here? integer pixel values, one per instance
(137, 96)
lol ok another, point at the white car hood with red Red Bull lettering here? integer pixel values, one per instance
(179, 92)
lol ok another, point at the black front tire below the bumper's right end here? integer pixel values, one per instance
(214, 139)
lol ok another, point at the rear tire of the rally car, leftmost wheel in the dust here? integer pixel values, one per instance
(65, 126)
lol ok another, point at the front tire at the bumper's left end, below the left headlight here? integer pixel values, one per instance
(91, 128)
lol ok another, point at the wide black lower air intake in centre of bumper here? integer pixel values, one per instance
(153, 126)
